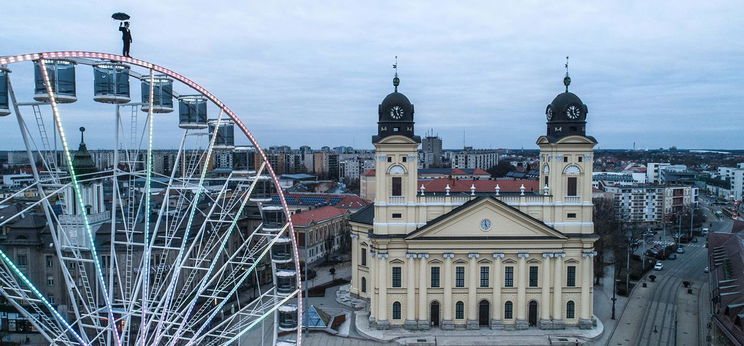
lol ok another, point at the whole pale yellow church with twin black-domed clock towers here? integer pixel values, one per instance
(484, 259)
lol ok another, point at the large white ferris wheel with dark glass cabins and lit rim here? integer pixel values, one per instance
(154, 247)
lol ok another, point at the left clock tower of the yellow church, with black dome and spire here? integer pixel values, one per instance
(396, 163)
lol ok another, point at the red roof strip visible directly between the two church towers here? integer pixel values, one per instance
(505, 185)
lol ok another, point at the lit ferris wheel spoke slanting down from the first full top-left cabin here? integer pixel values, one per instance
(91, 237)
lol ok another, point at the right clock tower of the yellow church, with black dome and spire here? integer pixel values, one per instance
(566, 161)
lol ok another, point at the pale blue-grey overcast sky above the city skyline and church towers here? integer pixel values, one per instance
(479, 73)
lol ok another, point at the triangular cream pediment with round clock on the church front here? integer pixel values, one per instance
(485, 218)
